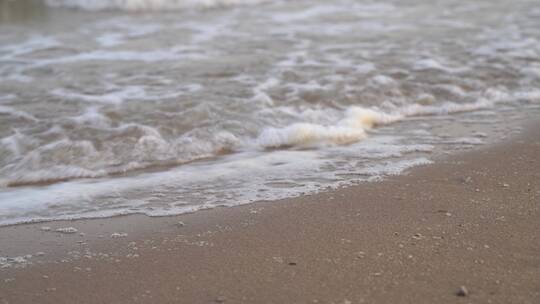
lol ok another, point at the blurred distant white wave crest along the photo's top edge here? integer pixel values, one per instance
(146, 5)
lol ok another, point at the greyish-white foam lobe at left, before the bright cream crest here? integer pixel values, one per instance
(68, 159)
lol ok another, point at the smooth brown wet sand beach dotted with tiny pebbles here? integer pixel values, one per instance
(470, 220)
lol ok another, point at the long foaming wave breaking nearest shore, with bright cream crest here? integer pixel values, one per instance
(148, 149)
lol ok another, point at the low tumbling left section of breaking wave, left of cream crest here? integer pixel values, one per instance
(40, 166)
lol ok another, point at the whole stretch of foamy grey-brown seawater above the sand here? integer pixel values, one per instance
(163, 107)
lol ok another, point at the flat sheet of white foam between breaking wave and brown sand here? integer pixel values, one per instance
(187, 188)
